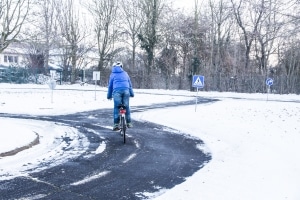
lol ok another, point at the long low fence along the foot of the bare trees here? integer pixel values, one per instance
(242, 84)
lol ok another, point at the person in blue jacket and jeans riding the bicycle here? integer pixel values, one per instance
(120, 89)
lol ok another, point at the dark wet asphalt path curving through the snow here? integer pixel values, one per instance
(154, 158)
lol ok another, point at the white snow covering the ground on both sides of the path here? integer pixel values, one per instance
(253, 139)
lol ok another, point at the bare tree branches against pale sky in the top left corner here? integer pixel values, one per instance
(12, 16)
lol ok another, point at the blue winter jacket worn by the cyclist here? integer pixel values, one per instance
(119, 80)
